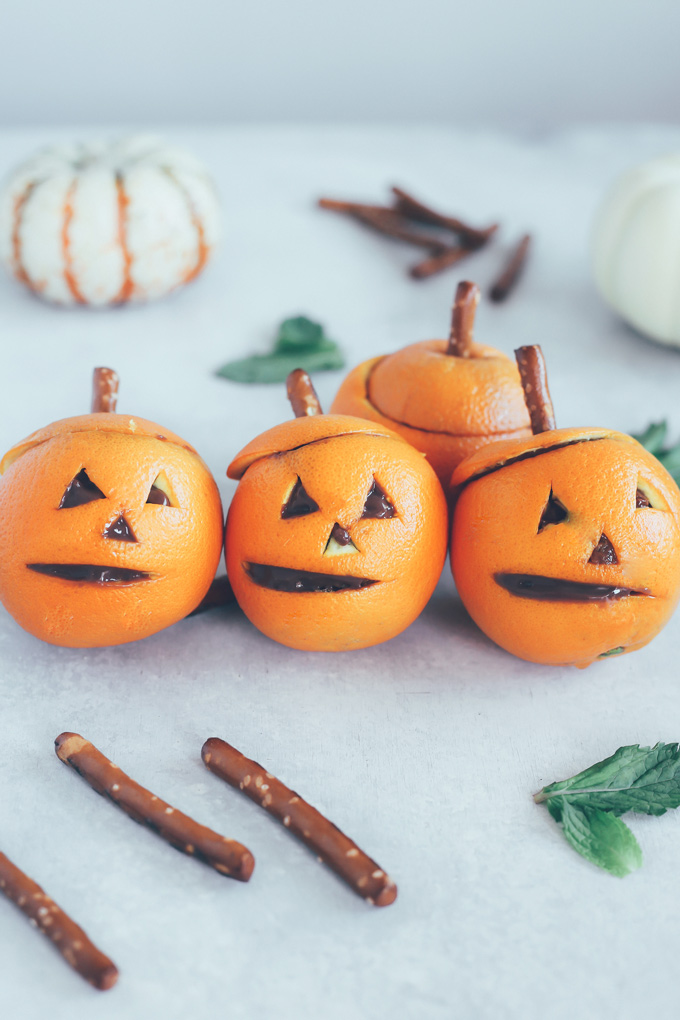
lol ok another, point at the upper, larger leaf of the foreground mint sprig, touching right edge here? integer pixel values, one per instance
(635, 779)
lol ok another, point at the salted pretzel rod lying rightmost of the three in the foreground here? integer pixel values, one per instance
(325, 839)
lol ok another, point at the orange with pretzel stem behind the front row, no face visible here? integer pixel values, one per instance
(447, 398)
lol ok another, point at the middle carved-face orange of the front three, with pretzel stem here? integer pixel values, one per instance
(337, 535)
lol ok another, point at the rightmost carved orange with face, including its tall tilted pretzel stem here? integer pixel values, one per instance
(566, 546)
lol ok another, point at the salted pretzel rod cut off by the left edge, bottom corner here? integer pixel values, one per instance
(68, 938)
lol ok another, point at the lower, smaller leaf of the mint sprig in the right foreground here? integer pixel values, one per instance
(603, 839)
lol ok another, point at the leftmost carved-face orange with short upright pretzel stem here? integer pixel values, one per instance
(111, 528)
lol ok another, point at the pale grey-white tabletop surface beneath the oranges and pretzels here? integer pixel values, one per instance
(426, 750)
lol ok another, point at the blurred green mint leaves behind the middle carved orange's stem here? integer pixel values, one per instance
(300, 343)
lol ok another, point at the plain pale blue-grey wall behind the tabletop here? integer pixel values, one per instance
(530, 65)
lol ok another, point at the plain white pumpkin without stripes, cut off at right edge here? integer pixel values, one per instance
(637, 248)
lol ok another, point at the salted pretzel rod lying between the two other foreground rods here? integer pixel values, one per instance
(226, 856)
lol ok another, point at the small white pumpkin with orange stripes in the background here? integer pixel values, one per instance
(104, 224)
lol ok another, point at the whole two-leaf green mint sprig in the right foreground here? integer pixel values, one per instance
(588, 806)
